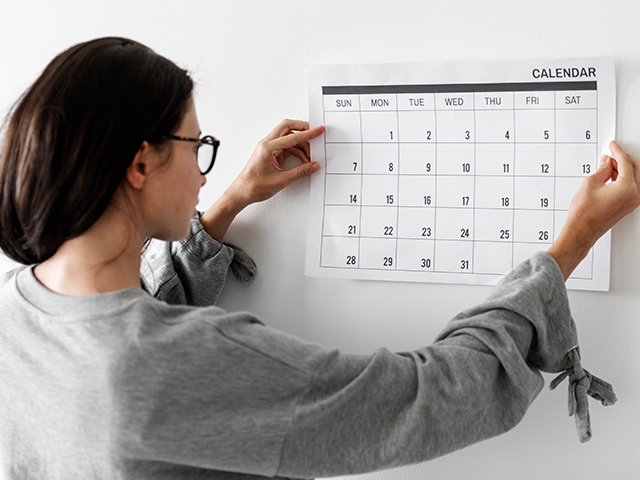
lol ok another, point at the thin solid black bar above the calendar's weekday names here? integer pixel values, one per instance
(459, 87)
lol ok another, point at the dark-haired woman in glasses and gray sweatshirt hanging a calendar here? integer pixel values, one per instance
(101, 380)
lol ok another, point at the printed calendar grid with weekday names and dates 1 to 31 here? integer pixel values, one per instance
(374, 169)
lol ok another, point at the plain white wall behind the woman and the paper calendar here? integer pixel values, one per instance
(249, 57)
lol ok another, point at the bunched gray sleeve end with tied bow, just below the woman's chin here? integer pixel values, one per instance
(193, 271)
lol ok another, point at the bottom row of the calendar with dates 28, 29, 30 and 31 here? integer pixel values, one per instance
(445, 257)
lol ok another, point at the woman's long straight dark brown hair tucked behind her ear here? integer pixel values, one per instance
(72, 135)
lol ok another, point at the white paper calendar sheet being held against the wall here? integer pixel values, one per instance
(453, 172)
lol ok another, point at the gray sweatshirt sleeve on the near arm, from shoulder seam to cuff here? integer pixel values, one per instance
(475, 382)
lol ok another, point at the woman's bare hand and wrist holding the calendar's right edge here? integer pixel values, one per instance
(598, 206)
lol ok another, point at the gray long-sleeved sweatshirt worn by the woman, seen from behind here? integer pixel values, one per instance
(123, 385)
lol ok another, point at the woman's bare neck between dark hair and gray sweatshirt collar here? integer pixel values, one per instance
(105, 258)
